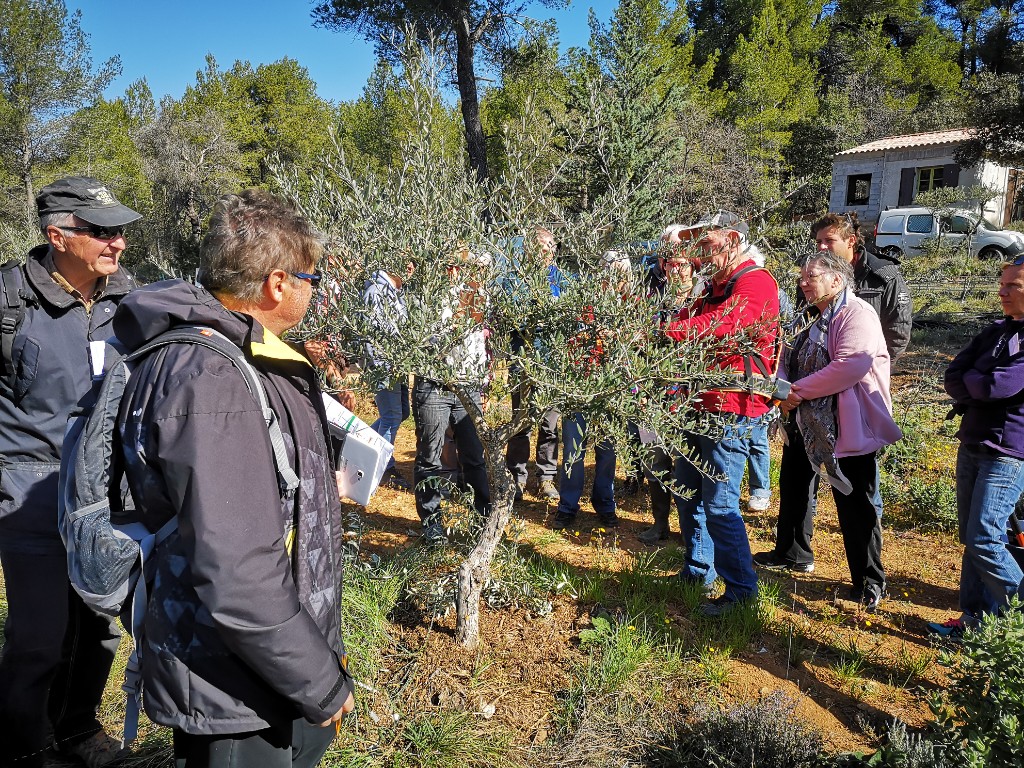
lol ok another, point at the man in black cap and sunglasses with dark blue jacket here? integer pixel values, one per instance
(56, 311)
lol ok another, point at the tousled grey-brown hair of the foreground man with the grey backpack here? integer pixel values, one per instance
(252, 234)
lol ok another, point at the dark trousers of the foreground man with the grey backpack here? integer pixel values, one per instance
(298, 745)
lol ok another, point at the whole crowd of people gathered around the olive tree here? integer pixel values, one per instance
(246, 662)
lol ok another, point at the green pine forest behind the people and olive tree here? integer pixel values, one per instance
(713, 104)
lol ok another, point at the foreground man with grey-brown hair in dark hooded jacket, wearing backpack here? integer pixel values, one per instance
(245, 659)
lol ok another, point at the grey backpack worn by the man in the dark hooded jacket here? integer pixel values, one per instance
(108, 563)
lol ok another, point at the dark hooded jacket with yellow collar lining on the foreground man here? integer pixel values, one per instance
(243, 625)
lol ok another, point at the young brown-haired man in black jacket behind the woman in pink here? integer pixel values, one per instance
(877, 280)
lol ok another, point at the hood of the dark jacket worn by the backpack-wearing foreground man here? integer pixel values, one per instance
(149, 312)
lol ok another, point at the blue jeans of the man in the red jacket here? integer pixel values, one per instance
(713, 530)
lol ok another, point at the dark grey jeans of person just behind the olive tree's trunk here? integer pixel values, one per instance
(436, 409)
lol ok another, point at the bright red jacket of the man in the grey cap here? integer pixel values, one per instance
(753, 305)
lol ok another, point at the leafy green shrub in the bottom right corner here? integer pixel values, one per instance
(980, 717)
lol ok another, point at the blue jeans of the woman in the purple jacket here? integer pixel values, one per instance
(989, 485)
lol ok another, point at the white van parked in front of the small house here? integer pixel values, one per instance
(903, 232)
